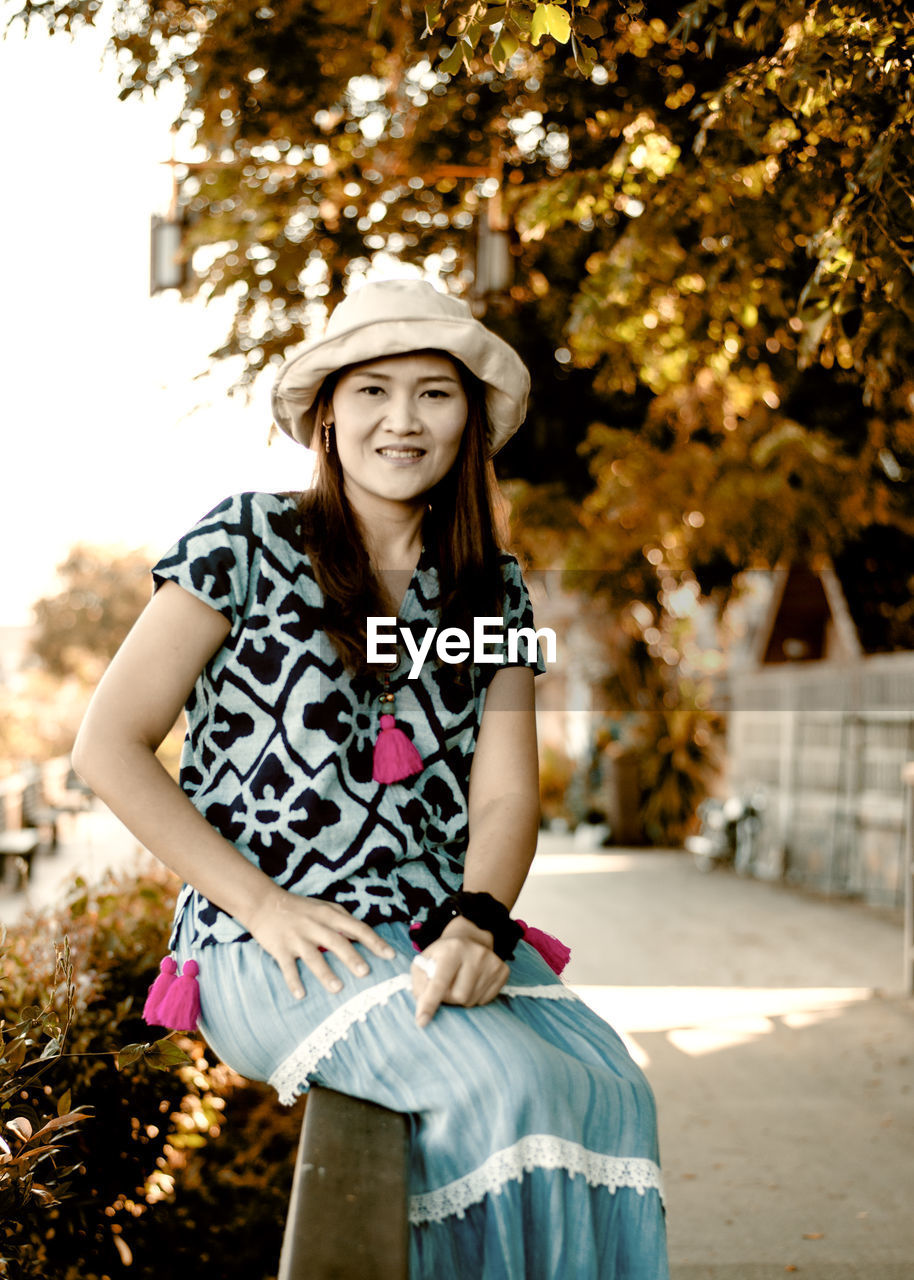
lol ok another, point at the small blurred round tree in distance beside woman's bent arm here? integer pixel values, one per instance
(103, 593)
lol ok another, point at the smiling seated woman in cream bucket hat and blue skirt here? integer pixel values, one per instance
(327, 802)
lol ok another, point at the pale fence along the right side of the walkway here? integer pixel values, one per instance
(829, 743)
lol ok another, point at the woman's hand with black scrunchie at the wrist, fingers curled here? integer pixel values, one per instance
(460, 968)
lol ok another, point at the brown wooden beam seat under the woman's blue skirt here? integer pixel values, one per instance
(349, 1209)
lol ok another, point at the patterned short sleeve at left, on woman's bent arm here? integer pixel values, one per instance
(213, 560)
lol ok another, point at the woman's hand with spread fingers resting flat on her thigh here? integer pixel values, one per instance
(291, 929)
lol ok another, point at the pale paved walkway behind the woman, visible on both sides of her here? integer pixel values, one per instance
(773, 1030)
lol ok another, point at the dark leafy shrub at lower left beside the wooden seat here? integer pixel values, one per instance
(132, 1174)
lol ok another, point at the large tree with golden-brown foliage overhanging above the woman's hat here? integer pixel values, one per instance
(712, 235)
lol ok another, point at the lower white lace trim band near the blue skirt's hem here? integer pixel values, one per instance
(536, 1151)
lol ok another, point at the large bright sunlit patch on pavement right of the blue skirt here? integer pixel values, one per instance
(700, 1021)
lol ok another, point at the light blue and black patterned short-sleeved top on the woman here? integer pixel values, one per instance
(280, 737)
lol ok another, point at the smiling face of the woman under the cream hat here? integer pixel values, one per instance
(399, 424)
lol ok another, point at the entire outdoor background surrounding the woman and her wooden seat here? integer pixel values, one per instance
(697, 226)
